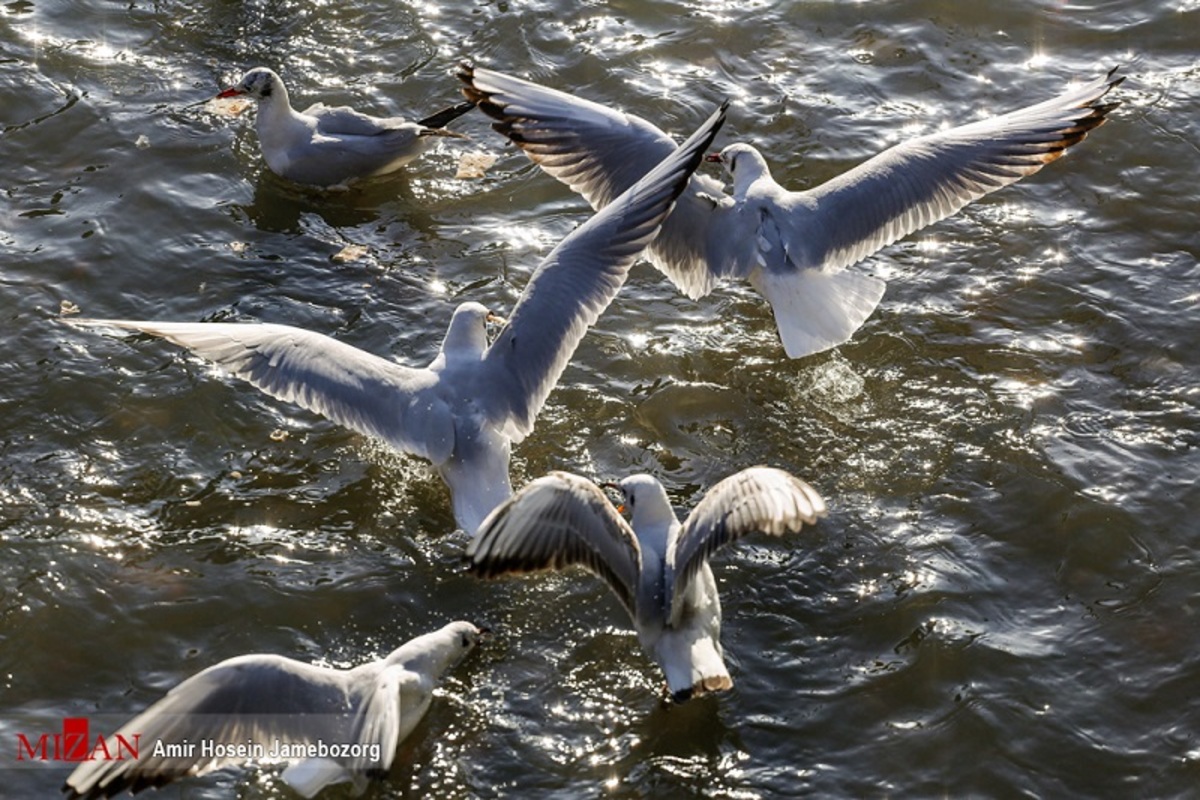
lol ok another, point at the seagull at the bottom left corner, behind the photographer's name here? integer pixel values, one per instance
(273, 705)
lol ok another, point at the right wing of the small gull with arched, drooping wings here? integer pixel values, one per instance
(758, 500)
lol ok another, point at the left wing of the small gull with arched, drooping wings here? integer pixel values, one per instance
(556, 522)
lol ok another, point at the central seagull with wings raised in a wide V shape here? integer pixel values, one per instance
(467, 407)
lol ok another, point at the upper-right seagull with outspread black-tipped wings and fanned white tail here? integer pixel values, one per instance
(794, 248)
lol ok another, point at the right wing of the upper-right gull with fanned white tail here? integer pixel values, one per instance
(927, 179)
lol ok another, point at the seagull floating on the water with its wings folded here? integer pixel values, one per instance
(328, 146)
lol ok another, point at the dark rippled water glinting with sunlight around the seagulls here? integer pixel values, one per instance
(1004, 600)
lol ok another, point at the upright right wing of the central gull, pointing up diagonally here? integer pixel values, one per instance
(577, 282)
